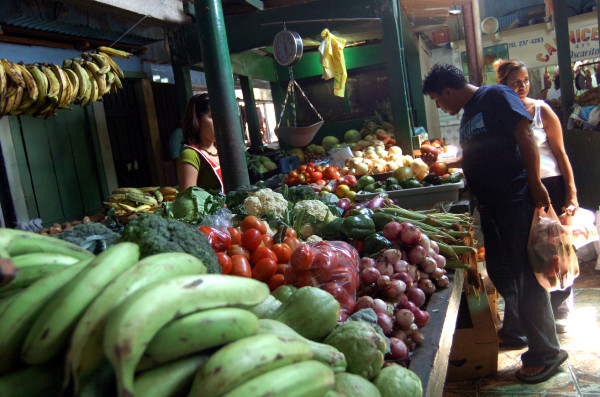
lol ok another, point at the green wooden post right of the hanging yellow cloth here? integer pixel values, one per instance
(395, 65)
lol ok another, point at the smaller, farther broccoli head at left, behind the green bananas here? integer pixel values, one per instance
(93, 236)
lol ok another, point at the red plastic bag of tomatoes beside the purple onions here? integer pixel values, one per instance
(333, 268)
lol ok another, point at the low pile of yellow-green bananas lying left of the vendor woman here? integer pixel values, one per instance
(132, 200)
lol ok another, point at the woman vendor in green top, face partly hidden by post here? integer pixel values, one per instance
(198, 163)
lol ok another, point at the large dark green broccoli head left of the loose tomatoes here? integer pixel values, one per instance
(155, 234)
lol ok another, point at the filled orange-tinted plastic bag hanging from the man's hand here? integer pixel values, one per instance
(551, 252)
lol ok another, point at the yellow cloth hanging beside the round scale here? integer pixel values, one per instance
(332, 60)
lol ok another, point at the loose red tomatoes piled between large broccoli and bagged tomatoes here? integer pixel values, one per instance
(250, 252)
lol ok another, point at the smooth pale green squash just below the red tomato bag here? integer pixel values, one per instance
(311, 312)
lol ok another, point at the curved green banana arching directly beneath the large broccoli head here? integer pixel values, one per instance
(85, 349)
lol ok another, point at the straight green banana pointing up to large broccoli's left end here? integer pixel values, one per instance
(51, 330)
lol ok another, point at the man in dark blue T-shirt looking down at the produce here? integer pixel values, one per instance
(500, 161)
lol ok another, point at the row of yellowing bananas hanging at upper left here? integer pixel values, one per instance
(42, 89)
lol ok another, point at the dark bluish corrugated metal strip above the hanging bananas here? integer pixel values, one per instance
(44, 25)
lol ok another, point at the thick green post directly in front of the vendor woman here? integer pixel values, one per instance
(219, 80)
